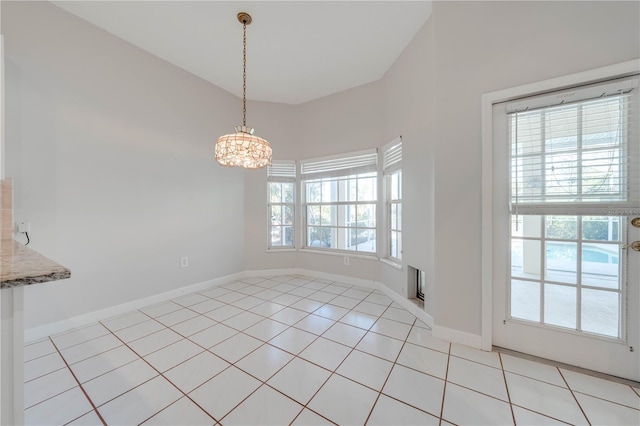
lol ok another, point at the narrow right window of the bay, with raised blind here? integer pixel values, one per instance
(392, 169)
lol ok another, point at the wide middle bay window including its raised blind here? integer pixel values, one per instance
(340, 196)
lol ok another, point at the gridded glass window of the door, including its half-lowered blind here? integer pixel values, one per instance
(574, 167)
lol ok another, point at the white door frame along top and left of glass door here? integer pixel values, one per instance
(623, 69)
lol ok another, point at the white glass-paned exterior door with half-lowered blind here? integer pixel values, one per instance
(567, 194)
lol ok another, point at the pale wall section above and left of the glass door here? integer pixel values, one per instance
(482, 47)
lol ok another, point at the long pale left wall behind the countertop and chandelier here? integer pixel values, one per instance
(111, 150)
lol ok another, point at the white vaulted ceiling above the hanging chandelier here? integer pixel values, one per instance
(297, 51)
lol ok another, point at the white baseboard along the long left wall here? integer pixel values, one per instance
(36, 333)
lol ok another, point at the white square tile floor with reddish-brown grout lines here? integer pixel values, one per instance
(296, 350)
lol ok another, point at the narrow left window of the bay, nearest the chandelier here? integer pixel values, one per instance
(281, 185)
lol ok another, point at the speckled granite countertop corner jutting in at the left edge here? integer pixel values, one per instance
(20, 266)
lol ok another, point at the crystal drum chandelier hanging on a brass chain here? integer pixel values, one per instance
(243, 148)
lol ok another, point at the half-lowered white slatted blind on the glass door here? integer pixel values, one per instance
(576, 152)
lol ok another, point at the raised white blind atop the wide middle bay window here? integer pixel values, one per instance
(343, 165)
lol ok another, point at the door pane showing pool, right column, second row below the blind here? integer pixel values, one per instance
(600, 265)
